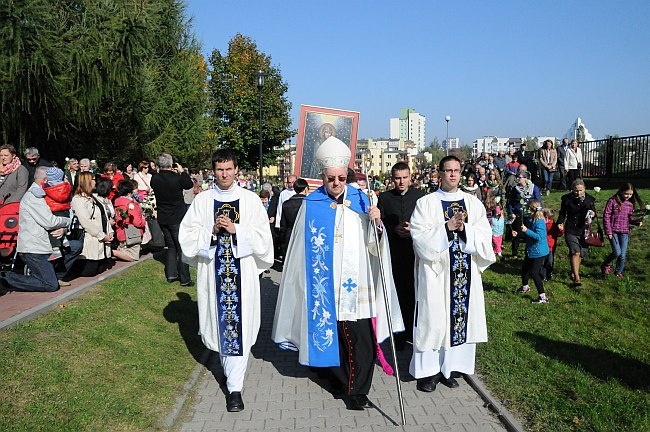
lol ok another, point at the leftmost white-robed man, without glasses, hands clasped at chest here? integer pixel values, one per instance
(225, 234)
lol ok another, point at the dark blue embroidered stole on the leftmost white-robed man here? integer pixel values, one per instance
(228, 282)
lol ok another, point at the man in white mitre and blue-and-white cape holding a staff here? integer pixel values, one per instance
(330, 288)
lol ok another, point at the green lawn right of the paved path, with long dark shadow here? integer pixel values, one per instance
(581, 362)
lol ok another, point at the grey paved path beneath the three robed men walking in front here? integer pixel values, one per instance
(281, 395)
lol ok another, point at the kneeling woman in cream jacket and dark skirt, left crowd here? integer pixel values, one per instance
(98, 231)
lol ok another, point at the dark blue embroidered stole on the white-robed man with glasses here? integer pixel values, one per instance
(460, 266)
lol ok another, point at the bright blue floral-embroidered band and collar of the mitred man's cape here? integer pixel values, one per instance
(320, 215)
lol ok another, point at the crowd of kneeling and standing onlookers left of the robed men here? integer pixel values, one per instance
(77, 221)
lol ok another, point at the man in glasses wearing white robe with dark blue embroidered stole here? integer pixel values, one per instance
(452, 240)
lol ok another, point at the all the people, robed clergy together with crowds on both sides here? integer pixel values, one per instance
(436, 231)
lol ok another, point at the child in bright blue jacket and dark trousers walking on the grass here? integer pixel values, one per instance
(534, 230)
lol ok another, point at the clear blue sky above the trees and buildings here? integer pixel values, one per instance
(507, 68)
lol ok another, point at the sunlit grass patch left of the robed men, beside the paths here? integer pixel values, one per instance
(114, 359)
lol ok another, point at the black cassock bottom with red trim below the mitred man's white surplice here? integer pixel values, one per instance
(357, 356)
